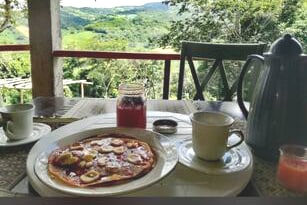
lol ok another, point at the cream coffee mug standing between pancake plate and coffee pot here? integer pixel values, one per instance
(210, 132)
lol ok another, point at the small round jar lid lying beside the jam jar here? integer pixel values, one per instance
(165, 126)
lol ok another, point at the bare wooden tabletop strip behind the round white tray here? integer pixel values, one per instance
(73, 107)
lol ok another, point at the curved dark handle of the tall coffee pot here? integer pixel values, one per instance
(245, 68)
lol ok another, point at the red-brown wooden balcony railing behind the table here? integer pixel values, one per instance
(166, 57)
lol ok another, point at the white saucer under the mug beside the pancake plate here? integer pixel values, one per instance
(234, 160)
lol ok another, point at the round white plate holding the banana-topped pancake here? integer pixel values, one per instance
(167, 158)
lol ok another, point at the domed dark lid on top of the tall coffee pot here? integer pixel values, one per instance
(286, 46)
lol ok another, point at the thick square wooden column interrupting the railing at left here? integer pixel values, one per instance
(45, 36)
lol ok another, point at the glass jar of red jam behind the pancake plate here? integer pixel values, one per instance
(131, 106)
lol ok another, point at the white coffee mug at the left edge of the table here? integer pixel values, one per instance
(17, 120)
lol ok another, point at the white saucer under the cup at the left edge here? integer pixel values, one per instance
(39, 130)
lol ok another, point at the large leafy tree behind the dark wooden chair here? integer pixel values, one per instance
(234, 21)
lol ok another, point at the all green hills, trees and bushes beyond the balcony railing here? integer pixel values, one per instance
(152, 28)
